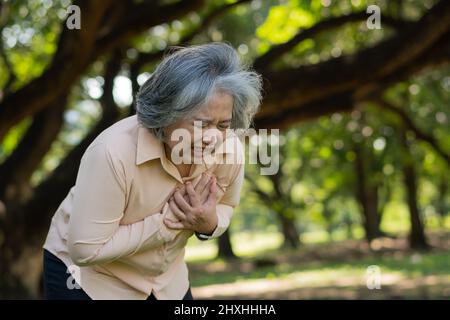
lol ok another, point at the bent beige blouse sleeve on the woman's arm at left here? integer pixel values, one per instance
(95, 235)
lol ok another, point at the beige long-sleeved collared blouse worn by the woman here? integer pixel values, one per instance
(109, 229)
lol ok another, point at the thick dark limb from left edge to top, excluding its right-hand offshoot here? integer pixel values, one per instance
(69, 61)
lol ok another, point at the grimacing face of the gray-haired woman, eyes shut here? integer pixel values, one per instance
(205, 129)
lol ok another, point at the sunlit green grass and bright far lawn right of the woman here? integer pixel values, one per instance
(400, 270)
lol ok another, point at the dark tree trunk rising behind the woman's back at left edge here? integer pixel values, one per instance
(25, 225)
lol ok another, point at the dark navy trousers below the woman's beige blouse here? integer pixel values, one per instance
(56, 280)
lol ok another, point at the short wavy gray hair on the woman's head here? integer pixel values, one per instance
(185, 81)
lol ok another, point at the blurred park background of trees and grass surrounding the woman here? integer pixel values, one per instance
(360, 206)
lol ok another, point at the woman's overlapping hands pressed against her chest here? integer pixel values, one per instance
(194, 215)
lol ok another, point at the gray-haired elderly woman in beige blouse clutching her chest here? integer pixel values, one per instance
(121, 231)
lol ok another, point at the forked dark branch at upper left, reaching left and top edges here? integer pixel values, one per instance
(77, 49)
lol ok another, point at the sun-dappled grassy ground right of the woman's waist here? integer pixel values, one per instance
(337, 270)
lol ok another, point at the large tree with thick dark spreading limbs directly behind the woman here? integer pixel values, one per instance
(43, 77)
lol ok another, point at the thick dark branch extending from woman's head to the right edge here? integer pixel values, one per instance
(360, 73)
